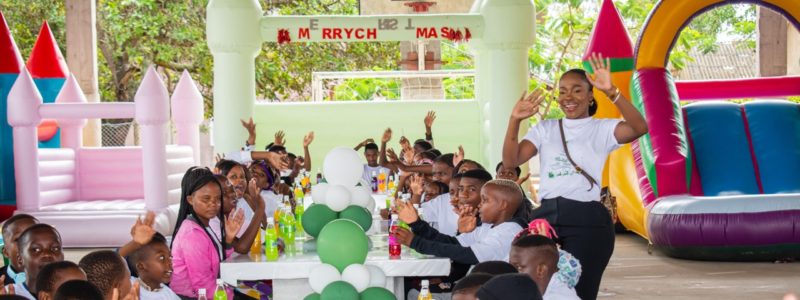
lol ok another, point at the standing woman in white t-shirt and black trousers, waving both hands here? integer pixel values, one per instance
(571, 196)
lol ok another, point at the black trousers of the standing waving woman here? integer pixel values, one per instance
(584, 230)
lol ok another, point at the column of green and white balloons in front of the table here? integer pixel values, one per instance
(338, 219)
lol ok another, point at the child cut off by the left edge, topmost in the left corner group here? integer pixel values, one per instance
(12, 229)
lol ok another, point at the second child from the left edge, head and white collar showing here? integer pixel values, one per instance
(38, 246)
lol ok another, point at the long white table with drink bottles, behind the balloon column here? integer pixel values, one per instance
(289, 274)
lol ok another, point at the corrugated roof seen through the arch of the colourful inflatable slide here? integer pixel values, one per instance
(729, 61)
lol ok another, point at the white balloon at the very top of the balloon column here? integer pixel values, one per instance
(343, 166)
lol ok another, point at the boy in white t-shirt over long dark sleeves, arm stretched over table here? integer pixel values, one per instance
(500, 201)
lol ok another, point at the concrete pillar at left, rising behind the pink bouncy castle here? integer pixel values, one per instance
(82, 58)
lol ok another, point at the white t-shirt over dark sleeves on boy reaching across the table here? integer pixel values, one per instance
(490, 243)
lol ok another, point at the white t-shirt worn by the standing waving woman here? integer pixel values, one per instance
(589, 140)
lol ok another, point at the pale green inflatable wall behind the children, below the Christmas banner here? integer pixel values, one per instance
(348, 123)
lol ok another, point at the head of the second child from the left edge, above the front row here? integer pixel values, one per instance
(42, 247)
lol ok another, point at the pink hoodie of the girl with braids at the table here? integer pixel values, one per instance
(194, 261)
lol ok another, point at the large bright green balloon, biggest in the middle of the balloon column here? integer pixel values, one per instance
(342, 243)
